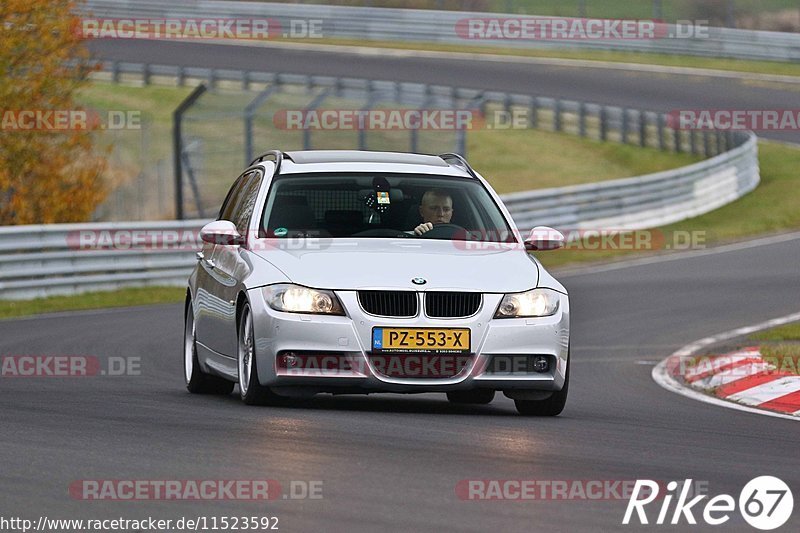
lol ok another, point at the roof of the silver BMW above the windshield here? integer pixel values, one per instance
(308, 161)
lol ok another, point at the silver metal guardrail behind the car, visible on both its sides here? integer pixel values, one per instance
(43, 260)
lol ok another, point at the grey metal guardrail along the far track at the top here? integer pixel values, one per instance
(416, 25)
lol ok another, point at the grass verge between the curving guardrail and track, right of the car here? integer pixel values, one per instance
(770, 208)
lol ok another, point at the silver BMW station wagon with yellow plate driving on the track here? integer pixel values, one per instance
(363, 272)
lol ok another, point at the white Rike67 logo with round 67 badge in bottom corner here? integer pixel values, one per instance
(765, 503)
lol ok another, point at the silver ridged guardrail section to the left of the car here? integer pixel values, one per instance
(50, 259)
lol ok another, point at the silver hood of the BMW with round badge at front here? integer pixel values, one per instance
(352, 264)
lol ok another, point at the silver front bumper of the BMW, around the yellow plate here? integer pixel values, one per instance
(350, 338)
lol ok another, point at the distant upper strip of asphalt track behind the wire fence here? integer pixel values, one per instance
(640, 90)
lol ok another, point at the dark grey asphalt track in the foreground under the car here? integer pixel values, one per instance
(392, 462)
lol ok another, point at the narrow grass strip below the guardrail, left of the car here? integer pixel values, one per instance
(92, 300)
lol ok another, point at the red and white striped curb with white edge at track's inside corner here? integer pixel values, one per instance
(740, 380)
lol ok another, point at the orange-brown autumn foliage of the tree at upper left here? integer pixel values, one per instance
(46, 175)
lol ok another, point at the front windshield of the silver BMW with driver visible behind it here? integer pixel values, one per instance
(385, 205)
